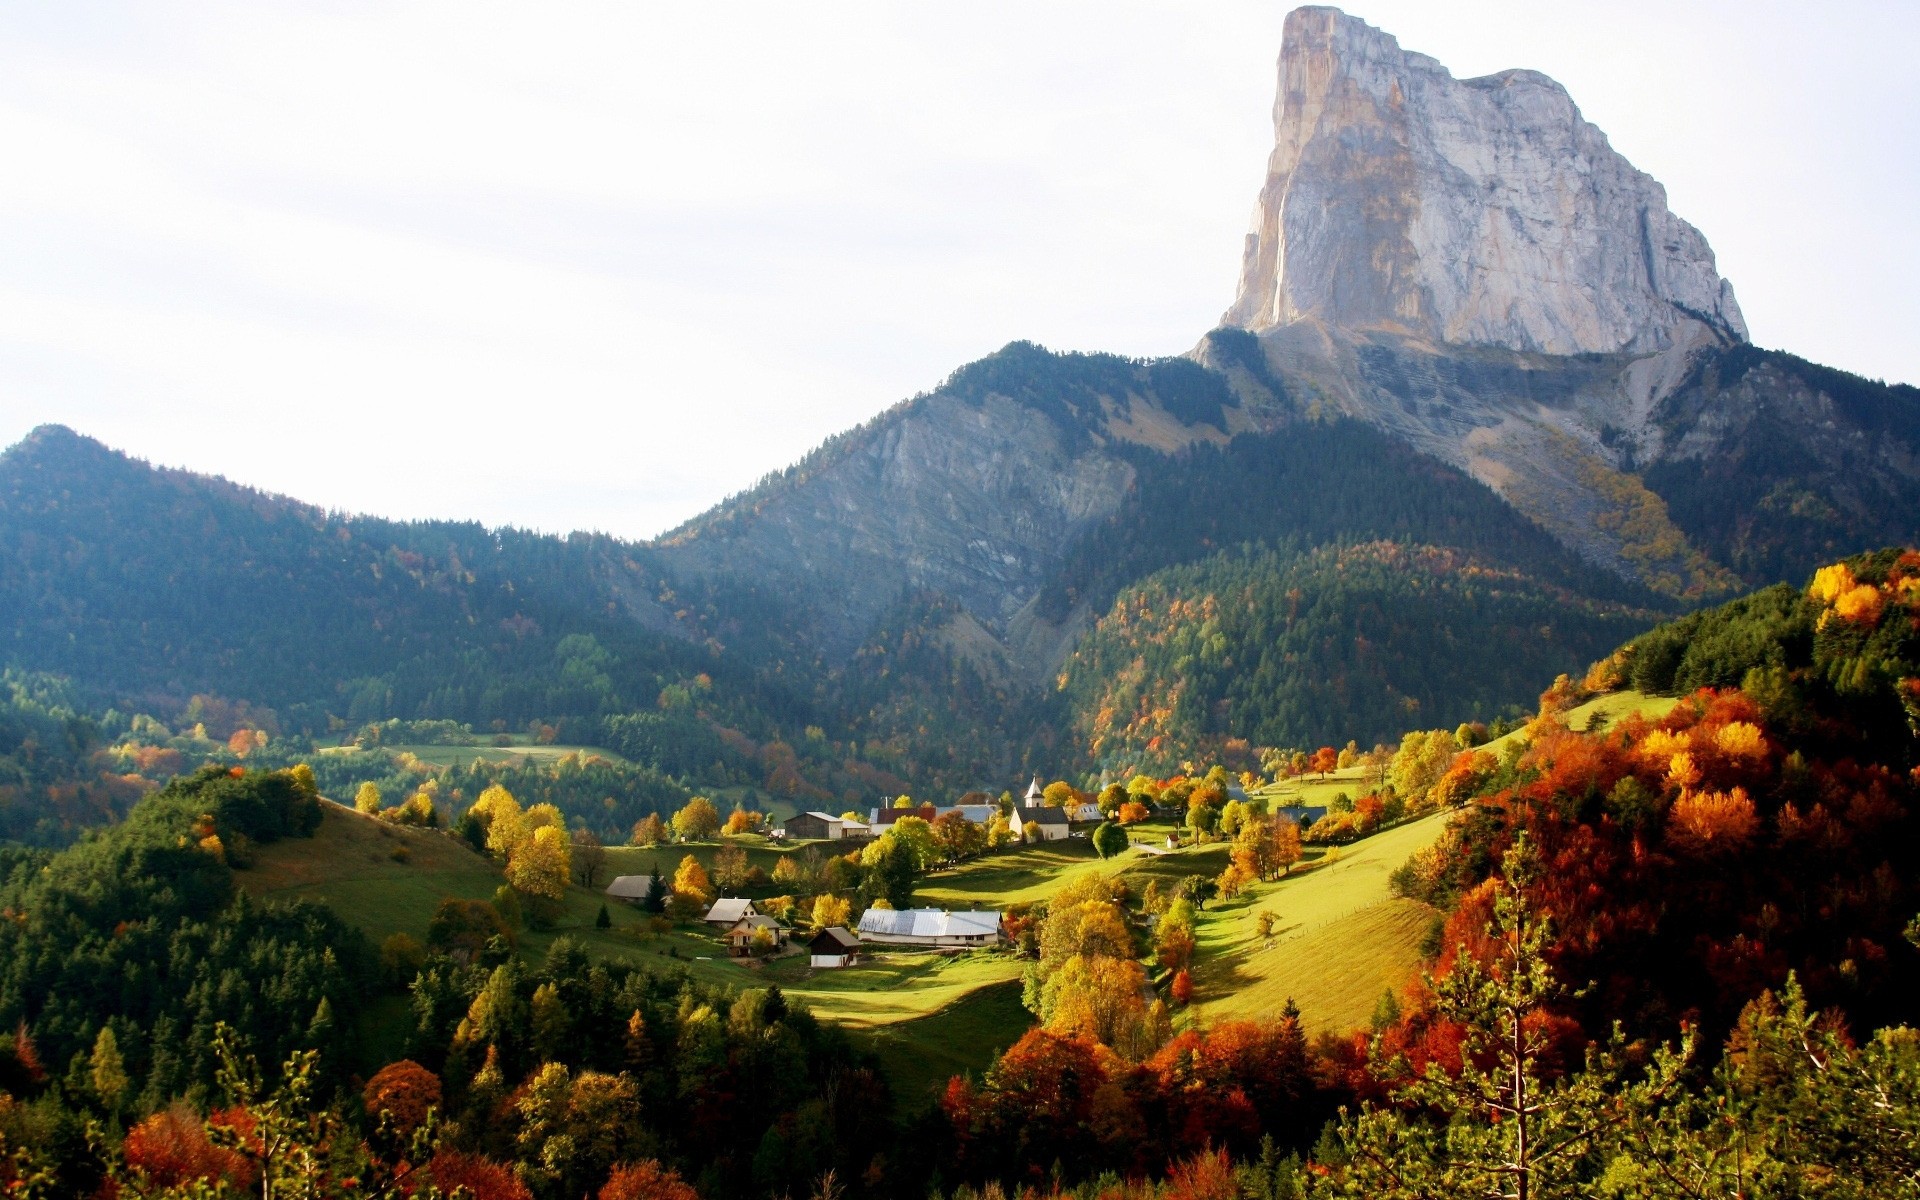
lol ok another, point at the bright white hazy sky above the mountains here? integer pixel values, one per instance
(596, 266)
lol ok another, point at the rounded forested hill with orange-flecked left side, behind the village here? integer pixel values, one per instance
(1308, 648)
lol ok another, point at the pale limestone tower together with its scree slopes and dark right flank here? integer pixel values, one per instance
(1470, 266)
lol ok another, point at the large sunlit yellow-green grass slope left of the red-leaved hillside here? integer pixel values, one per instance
(1339, 942)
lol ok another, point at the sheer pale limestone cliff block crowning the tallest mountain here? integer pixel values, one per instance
(1481, 212)
